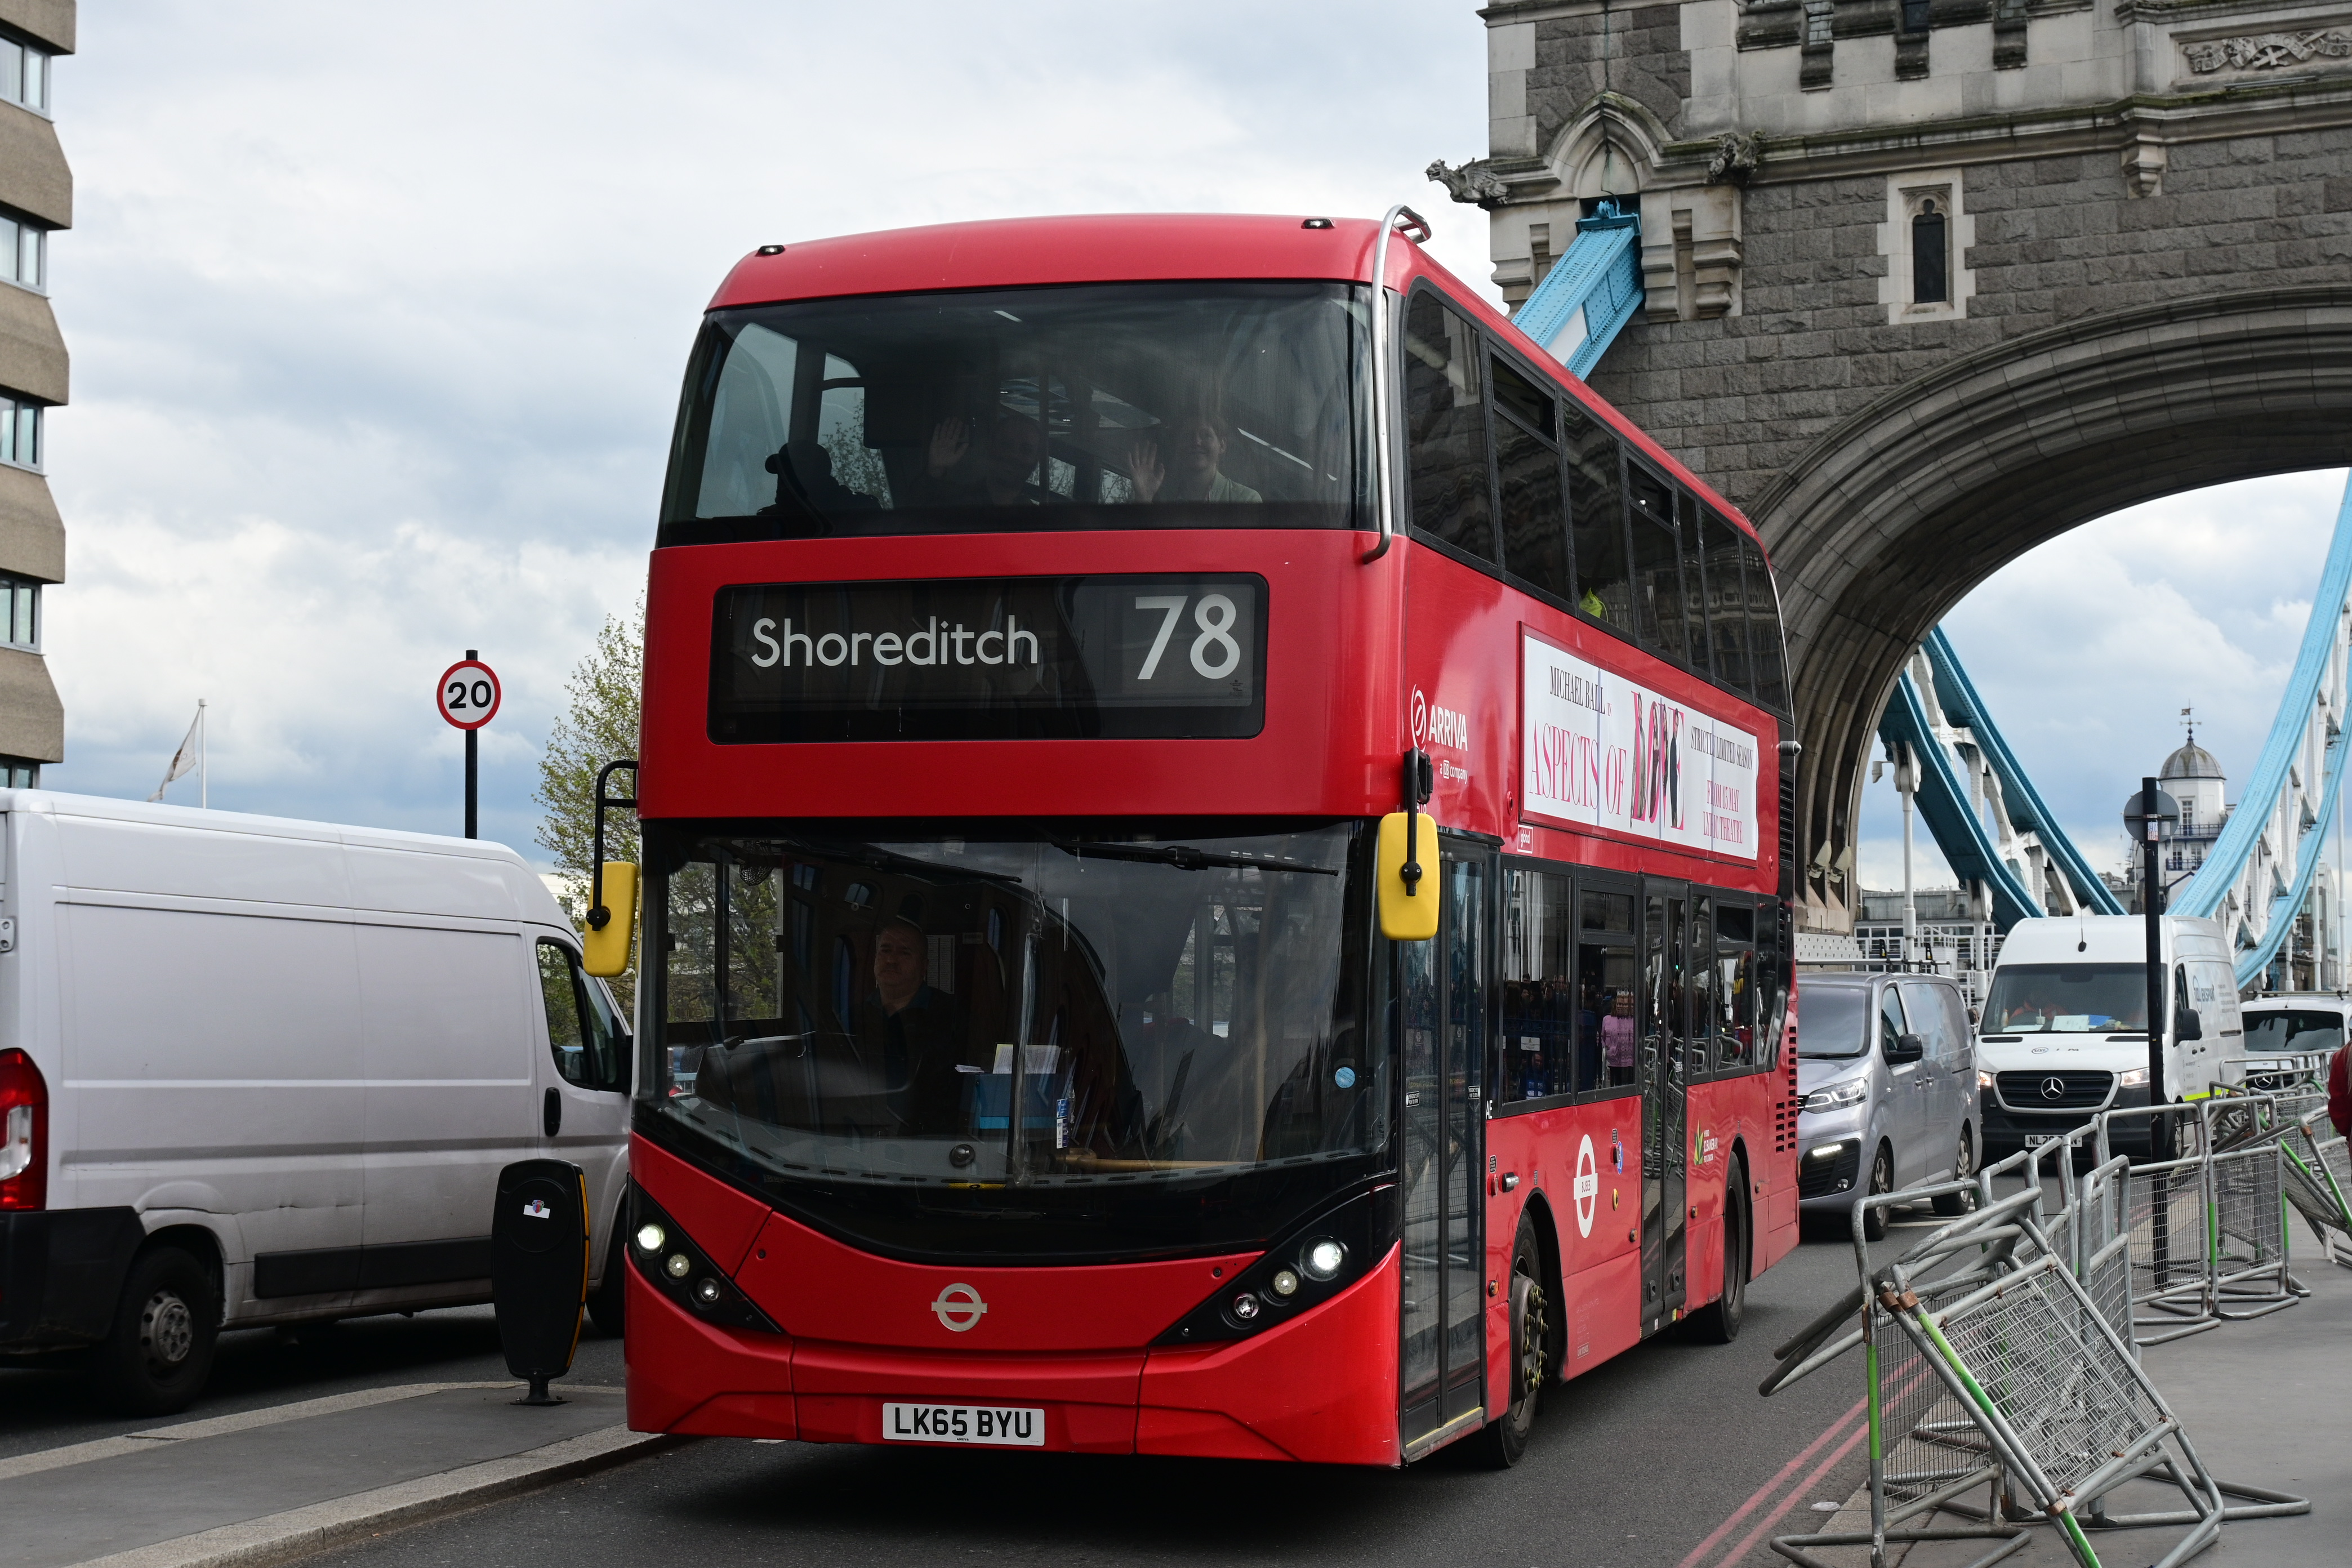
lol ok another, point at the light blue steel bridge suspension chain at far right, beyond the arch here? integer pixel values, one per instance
(2261, 911)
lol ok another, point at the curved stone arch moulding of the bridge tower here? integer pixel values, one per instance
(1899, 511)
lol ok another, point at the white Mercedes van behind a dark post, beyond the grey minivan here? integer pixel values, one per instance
(2066, 1024)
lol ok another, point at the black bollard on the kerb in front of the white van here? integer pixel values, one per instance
(540, 1271)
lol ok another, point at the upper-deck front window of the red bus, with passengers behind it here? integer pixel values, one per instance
(1201, 406)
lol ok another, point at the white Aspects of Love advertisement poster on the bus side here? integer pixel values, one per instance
(1601, 751)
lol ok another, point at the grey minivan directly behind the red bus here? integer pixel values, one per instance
(1887, 1071)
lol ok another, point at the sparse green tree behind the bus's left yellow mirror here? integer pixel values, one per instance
(596, 728)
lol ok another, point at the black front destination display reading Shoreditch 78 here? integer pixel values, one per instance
(991, 659)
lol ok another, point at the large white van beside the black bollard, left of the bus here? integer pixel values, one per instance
(260, 1071)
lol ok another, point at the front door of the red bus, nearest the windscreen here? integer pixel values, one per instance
(1443, 1014)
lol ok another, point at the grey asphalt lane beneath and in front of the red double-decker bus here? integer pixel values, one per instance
(1633, 1466)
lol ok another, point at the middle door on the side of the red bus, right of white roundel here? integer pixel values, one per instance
(1666, 1099)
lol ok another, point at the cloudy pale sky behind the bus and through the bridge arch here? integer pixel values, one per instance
(377, 323)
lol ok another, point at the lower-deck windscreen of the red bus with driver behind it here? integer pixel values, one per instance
(1022, 1040)
